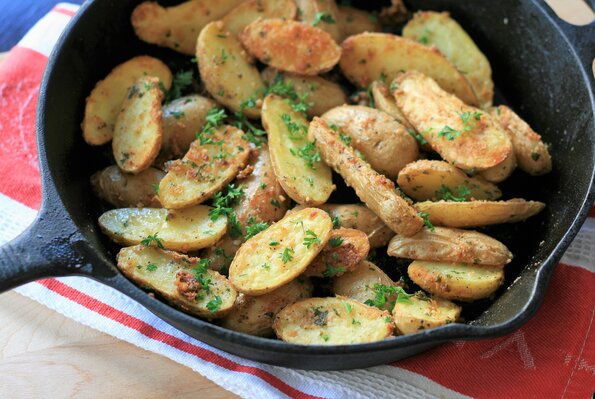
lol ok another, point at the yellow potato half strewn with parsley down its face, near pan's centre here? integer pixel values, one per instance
(296, 160)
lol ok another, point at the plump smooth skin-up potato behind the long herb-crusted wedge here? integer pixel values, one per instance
(382, 140)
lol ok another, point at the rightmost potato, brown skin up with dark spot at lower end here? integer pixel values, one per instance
(531, 153)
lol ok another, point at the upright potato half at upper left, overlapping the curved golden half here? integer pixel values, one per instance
(139, 126)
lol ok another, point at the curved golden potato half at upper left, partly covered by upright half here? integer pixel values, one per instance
(103, 105)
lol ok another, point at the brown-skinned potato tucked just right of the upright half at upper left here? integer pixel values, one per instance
(182, 119)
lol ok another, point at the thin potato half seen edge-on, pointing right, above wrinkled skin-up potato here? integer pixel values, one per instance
(479, 213)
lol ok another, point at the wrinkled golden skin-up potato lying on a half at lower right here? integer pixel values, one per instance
(451, 245)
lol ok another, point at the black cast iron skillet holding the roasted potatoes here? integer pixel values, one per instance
(541, 68)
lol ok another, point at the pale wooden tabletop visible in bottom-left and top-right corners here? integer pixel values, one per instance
(44, 354)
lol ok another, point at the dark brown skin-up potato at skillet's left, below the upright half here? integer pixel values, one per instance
(124, 190)
